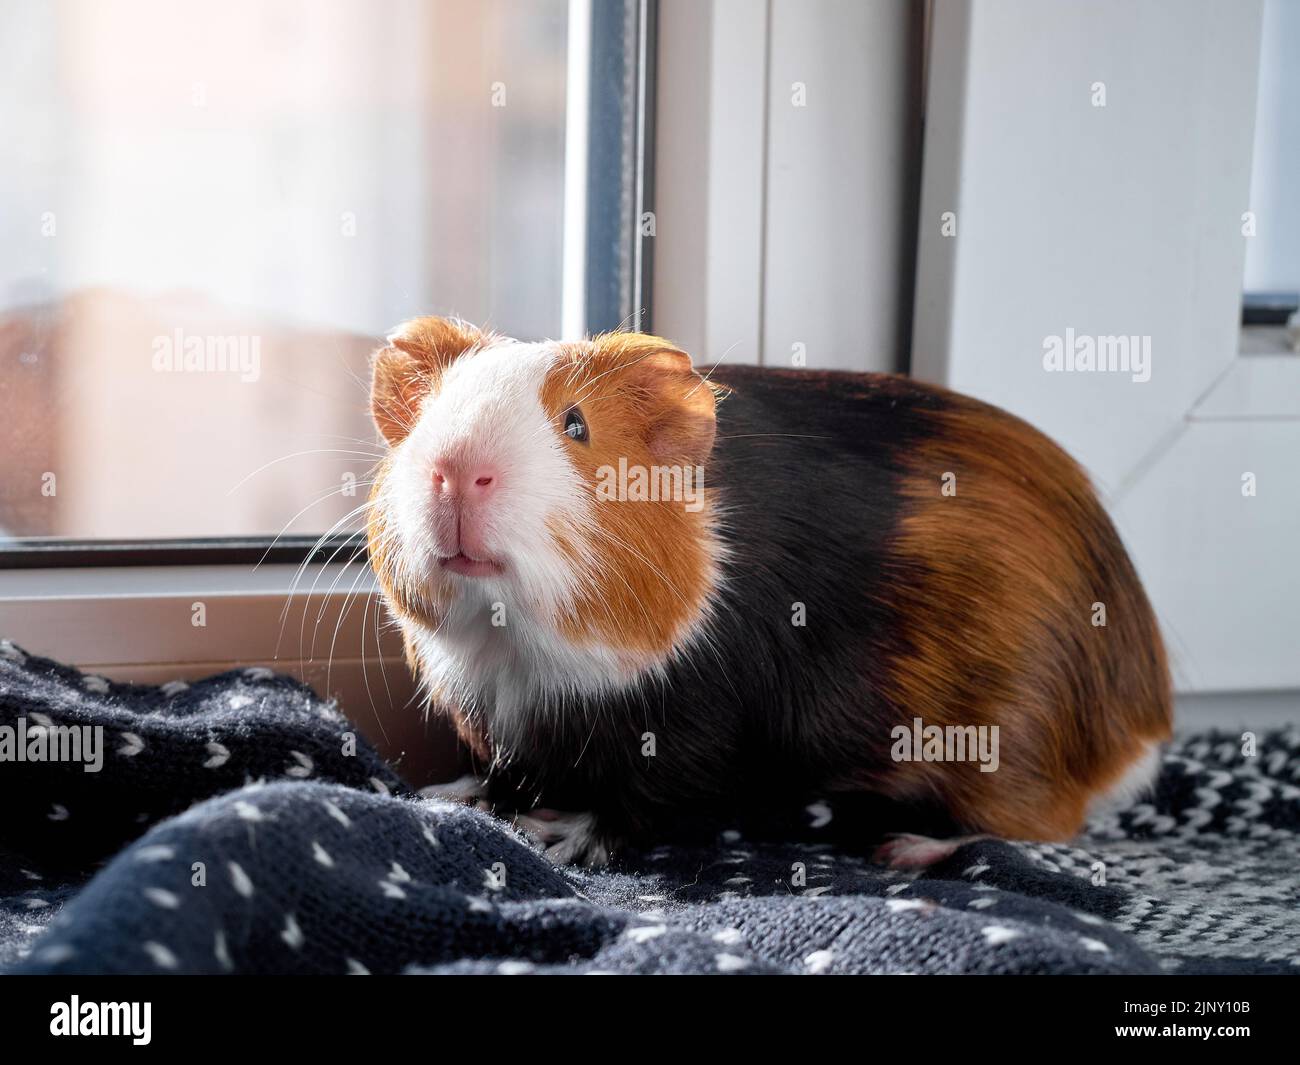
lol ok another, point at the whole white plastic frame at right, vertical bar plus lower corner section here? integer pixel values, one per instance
(1124, 219)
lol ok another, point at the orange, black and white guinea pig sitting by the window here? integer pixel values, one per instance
(645, 595)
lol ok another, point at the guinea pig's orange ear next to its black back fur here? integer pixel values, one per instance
(682, 408)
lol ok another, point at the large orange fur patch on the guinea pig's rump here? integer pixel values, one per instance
(1003, 578)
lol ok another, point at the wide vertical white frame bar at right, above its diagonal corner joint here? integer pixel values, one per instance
(1110, 220)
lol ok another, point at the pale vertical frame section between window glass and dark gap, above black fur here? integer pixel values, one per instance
(785, 214)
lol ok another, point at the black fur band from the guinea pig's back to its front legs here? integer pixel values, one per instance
(766, 713)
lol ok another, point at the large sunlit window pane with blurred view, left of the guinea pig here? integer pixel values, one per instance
(215, 210)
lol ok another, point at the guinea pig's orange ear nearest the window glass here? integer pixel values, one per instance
(409, 369)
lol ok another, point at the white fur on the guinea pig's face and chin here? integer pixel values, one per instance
(500, 648)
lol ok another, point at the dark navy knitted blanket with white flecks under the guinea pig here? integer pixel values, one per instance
(237, 825)
